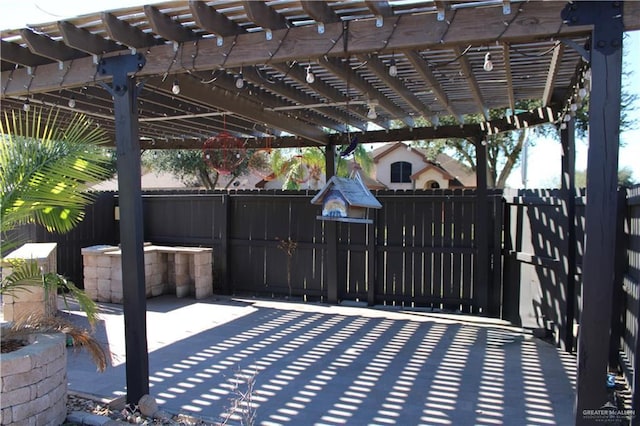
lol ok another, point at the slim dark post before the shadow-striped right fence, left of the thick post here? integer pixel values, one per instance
(567, 137)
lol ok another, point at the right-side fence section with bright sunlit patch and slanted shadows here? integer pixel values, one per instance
(535, 259)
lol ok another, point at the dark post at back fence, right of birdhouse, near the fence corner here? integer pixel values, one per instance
(482, 284)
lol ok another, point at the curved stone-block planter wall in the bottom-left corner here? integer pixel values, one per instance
(34, 382)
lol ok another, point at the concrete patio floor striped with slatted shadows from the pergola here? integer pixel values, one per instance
(317, 364)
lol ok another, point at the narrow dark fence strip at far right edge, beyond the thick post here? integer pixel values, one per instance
(630, 315)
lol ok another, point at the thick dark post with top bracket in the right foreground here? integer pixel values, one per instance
(602, 205)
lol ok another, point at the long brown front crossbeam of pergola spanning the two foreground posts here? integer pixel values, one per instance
(411, 32)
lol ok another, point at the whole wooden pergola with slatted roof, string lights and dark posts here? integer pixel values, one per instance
(288, 73)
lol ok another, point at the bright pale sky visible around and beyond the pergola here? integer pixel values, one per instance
(544, 154)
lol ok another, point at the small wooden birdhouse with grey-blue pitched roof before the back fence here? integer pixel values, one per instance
(346, 200)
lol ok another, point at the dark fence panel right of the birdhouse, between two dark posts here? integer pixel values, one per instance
(426, 249)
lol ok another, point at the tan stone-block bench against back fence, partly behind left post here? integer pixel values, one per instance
(182, 271)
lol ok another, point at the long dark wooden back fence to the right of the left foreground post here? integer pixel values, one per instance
(420, 251)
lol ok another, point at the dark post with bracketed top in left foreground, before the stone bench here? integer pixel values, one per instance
(125, 94)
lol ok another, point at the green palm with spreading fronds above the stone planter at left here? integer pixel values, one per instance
(46, 172)
